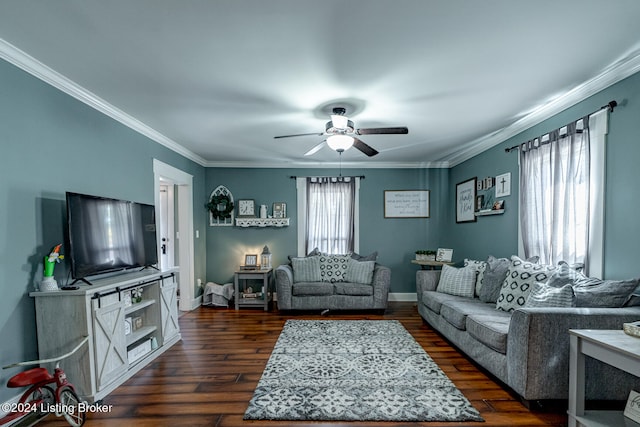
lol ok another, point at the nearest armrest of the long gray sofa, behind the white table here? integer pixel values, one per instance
(538, 352)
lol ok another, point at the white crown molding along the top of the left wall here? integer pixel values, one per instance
(39, 70)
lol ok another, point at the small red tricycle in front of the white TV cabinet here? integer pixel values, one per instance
(41, 399)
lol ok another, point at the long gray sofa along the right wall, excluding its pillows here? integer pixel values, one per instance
(527, 347)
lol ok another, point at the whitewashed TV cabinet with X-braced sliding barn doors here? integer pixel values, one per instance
(130, 320)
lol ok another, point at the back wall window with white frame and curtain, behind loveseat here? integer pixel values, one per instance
(328, 214)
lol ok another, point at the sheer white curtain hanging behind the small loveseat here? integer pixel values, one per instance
(330, 215)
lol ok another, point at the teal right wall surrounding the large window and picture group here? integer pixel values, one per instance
(498, 234)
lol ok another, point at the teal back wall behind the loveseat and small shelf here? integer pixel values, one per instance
(395, 239)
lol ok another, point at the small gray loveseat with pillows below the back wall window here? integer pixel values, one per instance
(332, 282)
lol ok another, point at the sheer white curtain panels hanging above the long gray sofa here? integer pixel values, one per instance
(554, 195)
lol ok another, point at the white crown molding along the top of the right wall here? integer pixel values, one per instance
(614, 73)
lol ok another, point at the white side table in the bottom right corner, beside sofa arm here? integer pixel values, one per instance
(613, 347)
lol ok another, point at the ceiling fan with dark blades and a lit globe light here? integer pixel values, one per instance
(342, 134)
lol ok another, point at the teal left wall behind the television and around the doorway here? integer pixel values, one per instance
(52, 143)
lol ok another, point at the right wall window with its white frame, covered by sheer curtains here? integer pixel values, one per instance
(561, 183)
